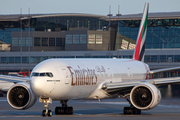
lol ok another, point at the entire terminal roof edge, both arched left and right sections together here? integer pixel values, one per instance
(161, 15)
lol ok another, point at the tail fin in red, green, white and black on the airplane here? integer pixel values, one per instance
(140, 43)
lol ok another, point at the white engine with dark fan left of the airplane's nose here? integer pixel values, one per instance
(20, 96)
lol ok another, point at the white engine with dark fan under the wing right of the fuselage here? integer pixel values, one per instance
(145, 96)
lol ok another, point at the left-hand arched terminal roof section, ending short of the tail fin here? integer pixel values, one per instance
(17, 17)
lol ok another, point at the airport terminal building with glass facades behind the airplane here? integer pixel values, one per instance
(86, 36)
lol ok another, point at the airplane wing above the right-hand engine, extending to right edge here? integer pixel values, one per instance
(125, 87)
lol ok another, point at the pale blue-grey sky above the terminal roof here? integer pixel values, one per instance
(98, 7)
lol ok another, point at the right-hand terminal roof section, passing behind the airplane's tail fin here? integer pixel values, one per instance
(162, 15)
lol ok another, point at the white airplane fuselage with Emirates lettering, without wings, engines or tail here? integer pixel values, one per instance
(83, 78)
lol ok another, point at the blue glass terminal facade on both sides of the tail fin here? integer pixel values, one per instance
(161, 34)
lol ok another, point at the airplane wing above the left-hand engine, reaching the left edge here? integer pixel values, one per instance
(14, 79)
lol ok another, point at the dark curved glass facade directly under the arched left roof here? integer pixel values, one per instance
(65, 22)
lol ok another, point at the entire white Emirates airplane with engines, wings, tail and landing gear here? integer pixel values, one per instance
(66, 79)
